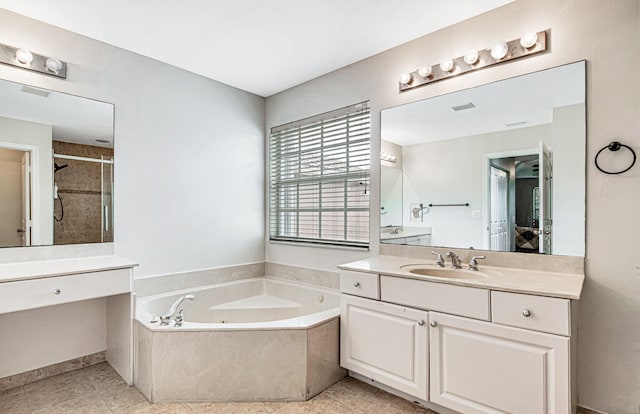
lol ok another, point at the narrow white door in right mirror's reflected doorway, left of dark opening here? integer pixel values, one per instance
(499, 209)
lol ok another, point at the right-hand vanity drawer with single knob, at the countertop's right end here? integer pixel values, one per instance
(552, 315)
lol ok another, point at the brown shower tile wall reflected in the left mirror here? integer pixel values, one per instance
(79, 186)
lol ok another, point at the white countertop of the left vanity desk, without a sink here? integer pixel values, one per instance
(10, 272)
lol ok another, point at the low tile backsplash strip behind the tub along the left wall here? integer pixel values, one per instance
(153, 285)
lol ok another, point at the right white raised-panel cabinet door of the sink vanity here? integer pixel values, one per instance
(479, 367)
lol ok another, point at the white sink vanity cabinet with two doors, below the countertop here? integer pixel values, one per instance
(469, 349)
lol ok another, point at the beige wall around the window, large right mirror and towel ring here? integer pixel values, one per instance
(604, 33)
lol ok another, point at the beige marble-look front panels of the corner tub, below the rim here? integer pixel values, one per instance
(284, 365)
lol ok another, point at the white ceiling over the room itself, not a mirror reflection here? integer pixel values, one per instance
(261, 46)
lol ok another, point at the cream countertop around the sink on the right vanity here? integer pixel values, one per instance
(535, 282)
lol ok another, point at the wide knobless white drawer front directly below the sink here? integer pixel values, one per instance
(441, 297)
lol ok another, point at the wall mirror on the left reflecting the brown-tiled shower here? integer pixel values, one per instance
(56, 168)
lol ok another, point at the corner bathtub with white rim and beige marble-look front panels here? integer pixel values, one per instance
(258, 339)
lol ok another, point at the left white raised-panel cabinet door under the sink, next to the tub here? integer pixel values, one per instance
(385, 342)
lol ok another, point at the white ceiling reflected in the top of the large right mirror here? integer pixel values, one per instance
(529, 98)
